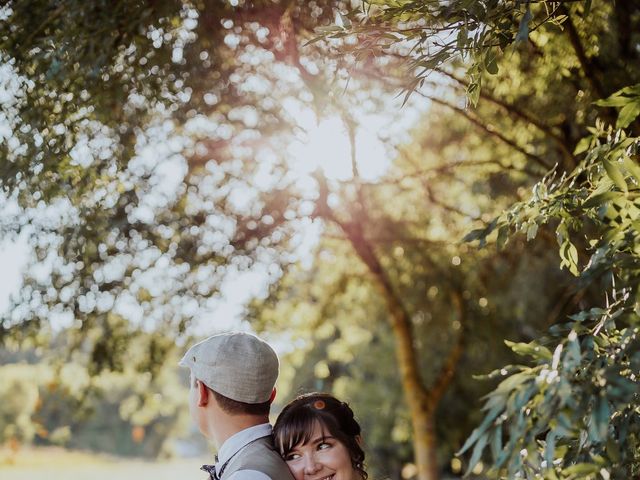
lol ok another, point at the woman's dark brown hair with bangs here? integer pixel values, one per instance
(296, 422)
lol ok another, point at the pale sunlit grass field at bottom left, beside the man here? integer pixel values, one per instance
(60, 464)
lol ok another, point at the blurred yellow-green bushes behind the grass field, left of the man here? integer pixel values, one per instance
(123, 414)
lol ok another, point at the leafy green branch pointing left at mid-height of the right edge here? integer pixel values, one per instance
(600, 197)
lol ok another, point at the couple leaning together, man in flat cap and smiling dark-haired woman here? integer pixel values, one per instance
(233, 378)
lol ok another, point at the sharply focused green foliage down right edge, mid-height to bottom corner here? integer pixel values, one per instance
(574, 414)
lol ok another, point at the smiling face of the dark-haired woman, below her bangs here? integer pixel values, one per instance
(322, 458)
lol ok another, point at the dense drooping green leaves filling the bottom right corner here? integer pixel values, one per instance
(573, 415)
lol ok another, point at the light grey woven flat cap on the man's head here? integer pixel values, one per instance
(238, 365)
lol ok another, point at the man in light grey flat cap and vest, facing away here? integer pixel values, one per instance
(233, 378)
